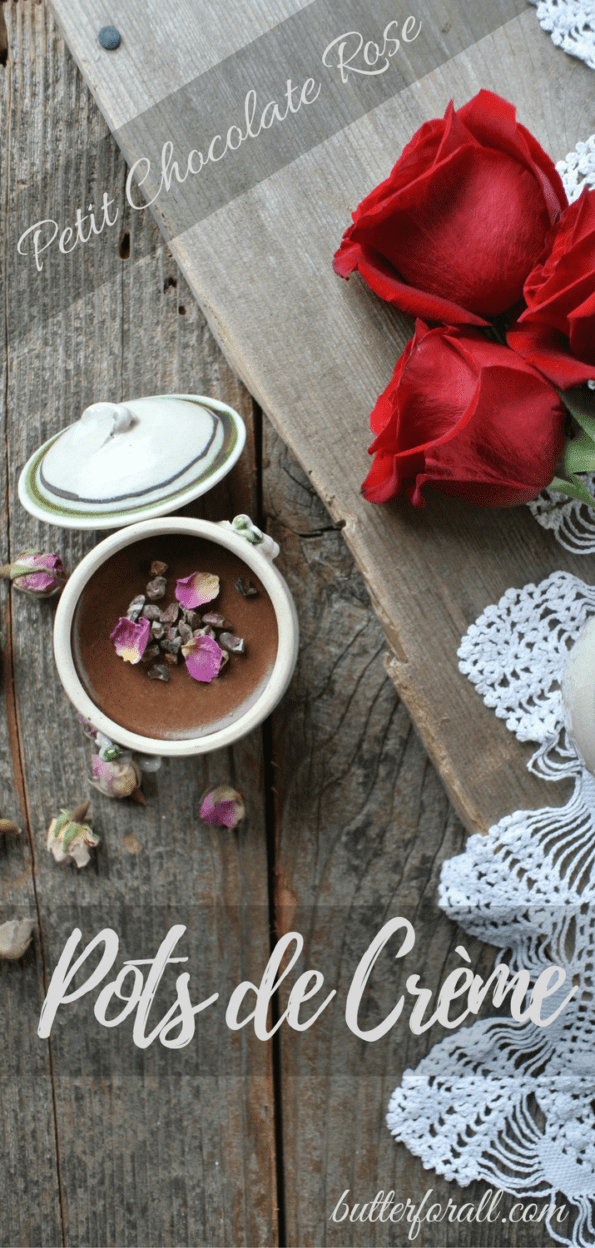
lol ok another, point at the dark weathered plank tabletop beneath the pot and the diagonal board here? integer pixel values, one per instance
(230, 1143)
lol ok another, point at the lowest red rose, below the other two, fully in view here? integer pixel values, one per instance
(468, 417)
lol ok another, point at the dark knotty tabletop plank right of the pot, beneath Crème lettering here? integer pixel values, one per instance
(364, 827)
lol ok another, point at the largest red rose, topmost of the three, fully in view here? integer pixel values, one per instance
(461, 222)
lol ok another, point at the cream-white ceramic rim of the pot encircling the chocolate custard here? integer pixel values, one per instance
(239, 539)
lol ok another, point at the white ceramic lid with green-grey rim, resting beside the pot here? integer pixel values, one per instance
(132, 461)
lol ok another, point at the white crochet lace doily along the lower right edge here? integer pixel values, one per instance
(507, 1103)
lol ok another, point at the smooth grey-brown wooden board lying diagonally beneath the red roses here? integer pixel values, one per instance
(256, 241)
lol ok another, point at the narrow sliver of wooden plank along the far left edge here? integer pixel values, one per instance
(29, 1192)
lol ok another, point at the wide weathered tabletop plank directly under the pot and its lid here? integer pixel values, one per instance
(163, 1149)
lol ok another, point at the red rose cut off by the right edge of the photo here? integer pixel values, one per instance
(557, 334)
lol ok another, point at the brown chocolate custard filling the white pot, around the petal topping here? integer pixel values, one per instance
(181, 708)
